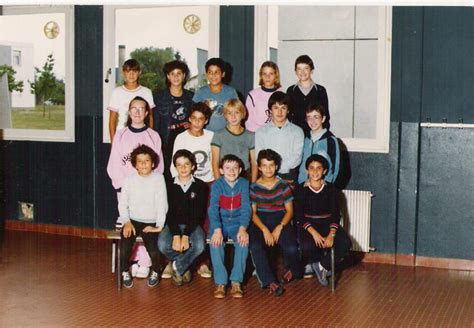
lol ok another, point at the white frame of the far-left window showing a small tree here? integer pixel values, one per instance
(68, 134)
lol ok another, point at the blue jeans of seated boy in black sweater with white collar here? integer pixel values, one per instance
(183, 260)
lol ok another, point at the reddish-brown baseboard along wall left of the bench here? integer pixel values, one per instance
(55, 229)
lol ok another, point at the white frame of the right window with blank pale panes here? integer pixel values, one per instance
(380, 144)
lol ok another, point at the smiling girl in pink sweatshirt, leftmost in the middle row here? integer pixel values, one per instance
(119, 166)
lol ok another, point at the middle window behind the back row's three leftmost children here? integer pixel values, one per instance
(161, 28)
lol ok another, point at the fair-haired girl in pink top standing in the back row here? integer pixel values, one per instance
(257, 99)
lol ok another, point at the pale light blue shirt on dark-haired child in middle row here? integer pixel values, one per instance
(286, 141)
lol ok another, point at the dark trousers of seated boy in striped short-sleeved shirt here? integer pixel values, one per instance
(286, 241)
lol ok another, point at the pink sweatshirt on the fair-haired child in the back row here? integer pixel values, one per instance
(257, 104)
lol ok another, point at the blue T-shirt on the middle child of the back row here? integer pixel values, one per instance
(216, 103)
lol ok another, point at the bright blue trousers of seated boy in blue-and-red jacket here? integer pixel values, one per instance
(217, 257)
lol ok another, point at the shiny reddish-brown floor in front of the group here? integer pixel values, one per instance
(49, 280)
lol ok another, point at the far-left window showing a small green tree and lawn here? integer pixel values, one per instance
(37, 44)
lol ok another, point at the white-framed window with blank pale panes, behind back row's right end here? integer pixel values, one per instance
(351, 48)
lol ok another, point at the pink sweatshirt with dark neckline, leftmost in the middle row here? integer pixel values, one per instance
(125, 141)
